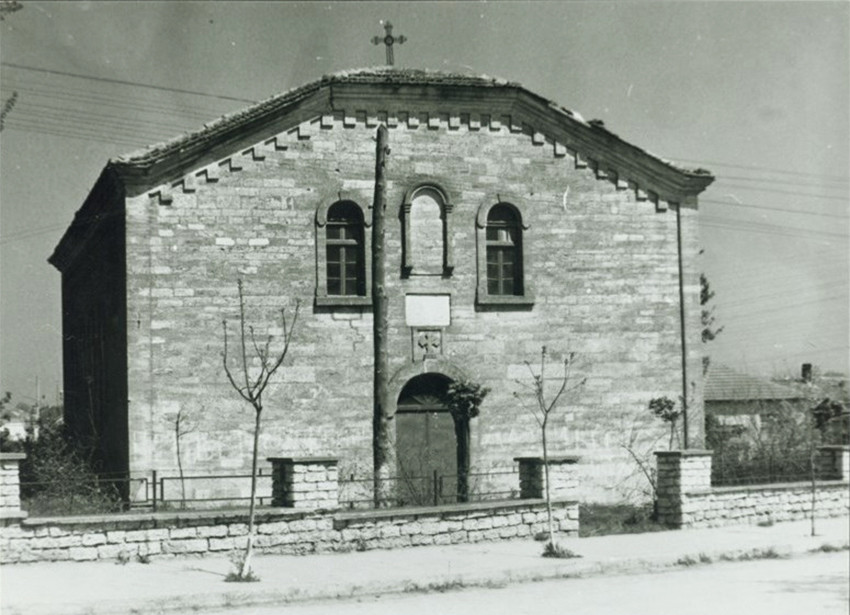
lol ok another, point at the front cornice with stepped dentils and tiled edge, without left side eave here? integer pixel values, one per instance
(415, 99)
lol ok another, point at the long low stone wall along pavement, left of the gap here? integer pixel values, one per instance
(163, 535)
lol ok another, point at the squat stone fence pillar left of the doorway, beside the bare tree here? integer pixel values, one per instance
(305, 482)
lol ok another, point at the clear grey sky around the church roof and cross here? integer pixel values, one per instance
(759, 93)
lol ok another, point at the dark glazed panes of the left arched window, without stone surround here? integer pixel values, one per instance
(345, 263)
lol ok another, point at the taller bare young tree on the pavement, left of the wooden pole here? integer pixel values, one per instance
(250, 384)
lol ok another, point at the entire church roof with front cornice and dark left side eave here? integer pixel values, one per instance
(380, 94)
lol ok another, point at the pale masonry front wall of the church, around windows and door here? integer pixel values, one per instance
(602, 264)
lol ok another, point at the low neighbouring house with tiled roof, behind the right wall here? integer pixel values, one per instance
(737, 399)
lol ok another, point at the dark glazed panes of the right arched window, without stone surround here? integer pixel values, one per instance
(504, 252)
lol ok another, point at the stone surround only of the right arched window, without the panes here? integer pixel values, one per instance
(483, 296)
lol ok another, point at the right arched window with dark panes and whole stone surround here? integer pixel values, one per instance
(502, 257)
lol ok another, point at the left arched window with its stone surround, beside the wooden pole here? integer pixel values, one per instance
(343, 265)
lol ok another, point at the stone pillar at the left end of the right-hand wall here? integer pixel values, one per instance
(680, 473)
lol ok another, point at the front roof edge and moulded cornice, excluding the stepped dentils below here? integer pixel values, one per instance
(397, 89)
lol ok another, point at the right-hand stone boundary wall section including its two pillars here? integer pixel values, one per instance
(685, 497)
